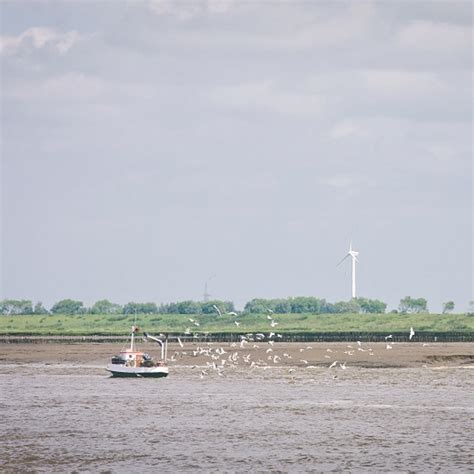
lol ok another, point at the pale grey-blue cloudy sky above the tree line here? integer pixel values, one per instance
(149, 147)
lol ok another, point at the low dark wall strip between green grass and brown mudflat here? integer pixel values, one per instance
(236, 337)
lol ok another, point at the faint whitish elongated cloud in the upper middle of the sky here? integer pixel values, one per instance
(265, 95)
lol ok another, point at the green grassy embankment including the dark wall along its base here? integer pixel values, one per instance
(297, 327)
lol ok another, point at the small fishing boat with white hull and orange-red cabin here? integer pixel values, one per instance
(133, 363)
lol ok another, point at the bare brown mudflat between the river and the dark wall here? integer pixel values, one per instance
(369, 355)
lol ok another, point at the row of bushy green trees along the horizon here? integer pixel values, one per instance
(300, 304)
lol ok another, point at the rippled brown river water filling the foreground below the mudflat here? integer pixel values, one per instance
(73, 417)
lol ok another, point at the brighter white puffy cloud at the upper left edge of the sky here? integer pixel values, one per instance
(38, 38)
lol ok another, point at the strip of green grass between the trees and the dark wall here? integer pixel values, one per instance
(176, 323)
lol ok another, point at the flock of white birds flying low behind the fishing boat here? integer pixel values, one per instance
(219, 359)
